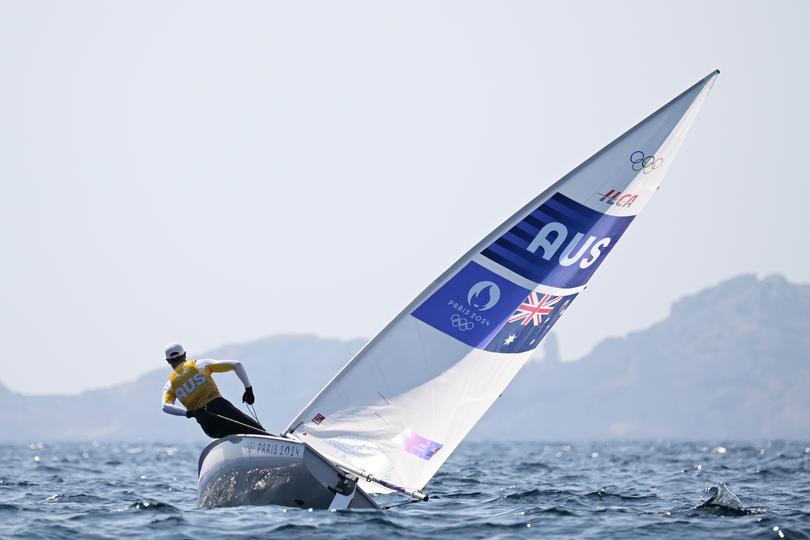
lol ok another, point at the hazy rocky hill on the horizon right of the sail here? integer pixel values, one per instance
(732, 361)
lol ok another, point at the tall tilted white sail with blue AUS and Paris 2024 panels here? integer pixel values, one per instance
(399, 408)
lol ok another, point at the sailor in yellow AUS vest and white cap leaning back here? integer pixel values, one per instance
(192, 383)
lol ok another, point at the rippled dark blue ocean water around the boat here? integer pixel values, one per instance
(486, 490)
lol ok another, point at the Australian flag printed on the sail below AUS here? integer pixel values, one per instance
(532, 320)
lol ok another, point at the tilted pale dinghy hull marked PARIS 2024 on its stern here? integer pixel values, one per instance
(260, 470)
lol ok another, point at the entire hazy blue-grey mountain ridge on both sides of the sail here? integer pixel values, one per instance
(728, 361)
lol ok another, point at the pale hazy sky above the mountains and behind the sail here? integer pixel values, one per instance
(216, 172)
